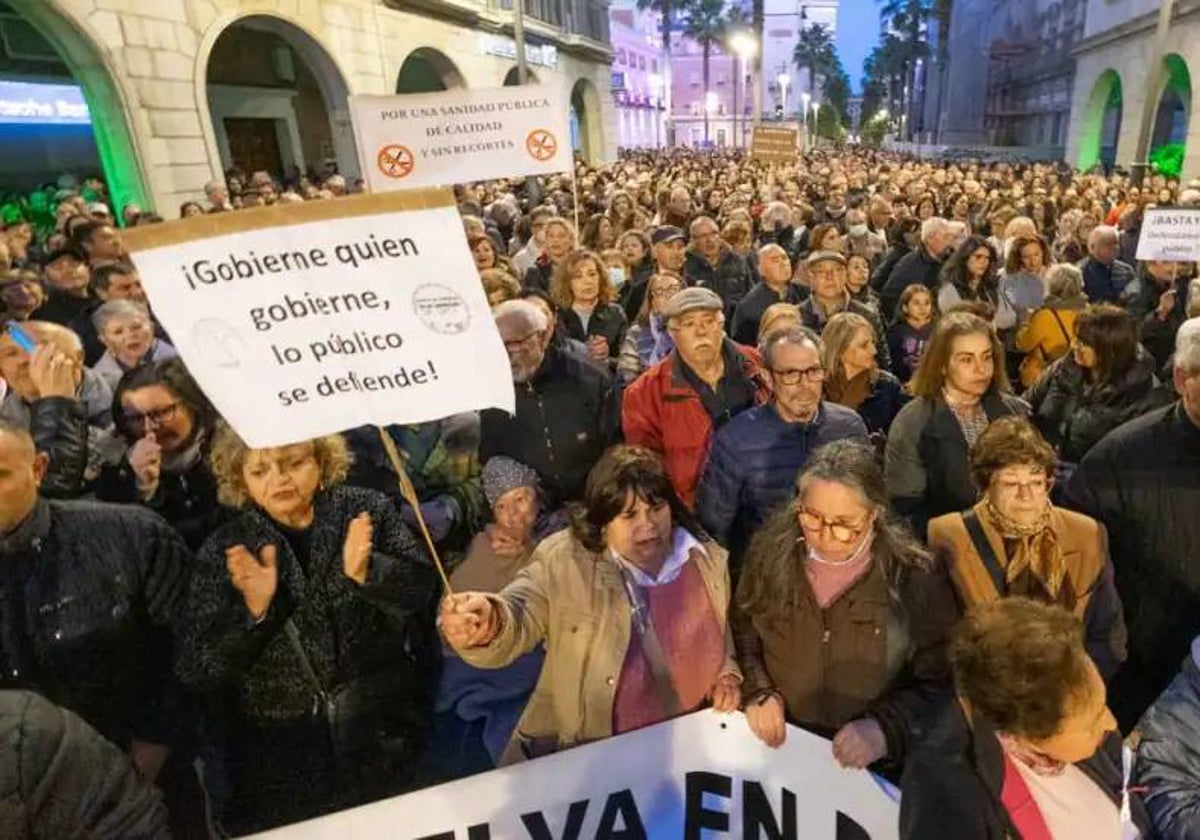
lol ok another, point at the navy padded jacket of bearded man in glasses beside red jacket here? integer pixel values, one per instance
(753, 466)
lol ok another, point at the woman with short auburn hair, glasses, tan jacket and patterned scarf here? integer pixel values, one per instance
(1017, 542)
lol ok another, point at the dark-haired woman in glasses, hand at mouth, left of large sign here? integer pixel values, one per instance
(167, 424)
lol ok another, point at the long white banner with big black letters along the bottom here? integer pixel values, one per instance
(701, 777)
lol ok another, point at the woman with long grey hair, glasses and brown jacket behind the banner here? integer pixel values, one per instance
(841, 616)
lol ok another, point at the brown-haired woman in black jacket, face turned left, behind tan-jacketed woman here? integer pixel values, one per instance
(1107, 380)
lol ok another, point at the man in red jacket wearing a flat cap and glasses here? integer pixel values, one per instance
(676, 406)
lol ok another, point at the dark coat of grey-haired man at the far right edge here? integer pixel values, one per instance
(1143, 483)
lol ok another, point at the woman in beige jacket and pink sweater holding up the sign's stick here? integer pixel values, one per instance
(632, 605)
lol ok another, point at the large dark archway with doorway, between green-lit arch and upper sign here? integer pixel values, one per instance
(278, 101)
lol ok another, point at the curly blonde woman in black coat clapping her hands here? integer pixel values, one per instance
(308, 631)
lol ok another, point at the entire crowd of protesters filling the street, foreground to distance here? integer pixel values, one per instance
(902, 453)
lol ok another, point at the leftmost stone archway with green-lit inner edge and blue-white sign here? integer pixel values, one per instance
(40, 47)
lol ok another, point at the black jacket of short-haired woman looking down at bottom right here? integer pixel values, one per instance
(956, 773)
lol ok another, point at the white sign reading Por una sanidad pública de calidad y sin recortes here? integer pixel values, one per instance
(458, 136)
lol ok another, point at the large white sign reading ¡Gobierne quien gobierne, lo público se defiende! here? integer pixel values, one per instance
(310, 320)
